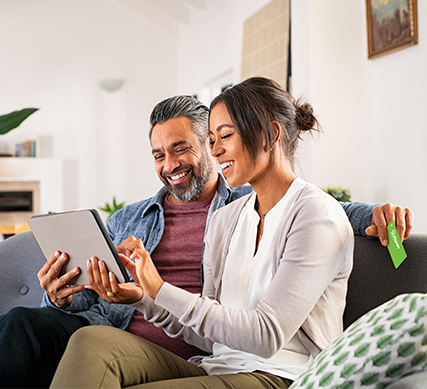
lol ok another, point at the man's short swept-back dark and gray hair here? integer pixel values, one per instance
(182, 106)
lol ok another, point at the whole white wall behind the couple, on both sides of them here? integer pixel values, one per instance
(53, 54)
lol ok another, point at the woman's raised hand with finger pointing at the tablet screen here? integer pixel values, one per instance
(143, 270)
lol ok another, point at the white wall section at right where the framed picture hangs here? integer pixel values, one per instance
(373, 111)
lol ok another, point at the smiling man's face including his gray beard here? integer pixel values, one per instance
(182, 163)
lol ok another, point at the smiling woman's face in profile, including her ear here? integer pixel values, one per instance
(226, 146)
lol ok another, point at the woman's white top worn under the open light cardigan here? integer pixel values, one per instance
(244, 282)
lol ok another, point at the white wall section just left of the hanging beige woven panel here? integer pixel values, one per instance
(210, 48)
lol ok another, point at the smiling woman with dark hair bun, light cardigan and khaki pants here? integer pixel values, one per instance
(276, 266)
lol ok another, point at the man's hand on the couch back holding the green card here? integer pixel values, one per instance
(382, 216)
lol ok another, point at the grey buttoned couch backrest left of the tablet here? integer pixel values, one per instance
(20, 260)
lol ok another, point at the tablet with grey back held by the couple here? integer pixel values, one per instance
(82, 235)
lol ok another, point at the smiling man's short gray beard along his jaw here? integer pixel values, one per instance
(197, 183)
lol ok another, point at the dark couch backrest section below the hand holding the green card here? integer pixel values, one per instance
(374, 279)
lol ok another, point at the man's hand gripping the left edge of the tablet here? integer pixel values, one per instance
(58, 289)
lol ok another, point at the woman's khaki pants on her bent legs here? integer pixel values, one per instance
(105, 357)
